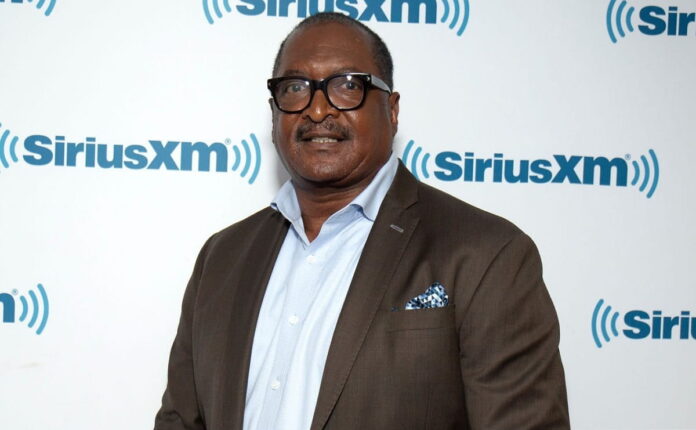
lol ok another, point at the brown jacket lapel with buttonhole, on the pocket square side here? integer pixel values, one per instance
(383, 250)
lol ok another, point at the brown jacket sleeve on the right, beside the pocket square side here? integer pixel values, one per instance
(510, 363)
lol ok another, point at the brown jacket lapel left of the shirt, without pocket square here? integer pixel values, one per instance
(246, 295)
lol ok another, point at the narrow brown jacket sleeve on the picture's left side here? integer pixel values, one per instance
(180, 409)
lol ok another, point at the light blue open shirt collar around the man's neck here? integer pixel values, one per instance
(369, 200)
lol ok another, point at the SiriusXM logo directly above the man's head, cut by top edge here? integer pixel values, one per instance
(455, 13)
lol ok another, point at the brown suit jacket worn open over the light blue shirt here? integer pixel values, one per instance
(489, 360)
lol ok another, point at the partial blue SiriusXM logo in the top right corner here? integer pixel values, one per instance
(652, 20)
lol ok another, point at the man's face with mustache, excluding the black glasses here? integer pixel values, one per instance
(322, 146)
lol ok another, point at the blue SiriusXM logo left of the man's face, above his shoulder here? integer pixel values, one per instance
(40, 150)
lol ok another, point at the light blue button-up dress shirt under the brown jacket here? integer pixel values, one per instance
(301, 305)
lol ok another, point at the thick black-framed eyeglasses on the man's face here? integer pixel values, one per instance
(345, 91)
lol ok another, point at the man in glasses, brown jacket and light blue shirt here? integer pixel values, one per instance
(361, 299)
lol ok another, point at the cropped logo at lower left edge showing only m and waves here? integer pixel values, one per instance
(34, 313)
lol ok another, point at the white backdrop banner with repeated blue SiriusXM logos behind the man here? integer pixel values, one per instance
(132, 130)
